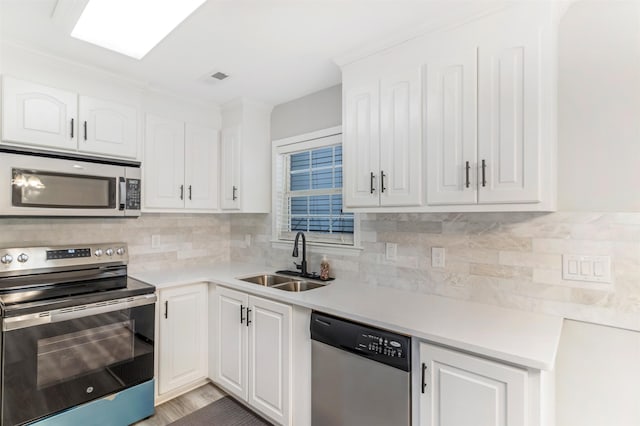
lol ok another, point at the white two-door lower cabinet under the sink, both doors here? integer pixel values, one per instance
(253, 351)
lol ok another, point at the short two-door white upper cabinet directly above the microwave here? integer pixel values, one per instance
(41, 116)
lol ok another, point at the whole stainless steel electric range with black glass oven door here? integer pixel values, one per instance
(75, 329)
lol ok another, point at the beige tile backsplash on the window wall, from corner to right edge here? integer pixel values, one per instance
(508, 259)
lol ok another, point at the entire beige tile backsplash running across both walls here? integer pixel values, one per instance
(507, 259)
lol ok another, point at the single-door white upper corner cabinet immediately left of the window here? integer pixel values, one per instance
(245, 178)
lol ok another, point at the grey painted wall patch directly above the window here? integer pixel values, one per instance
(317, 111)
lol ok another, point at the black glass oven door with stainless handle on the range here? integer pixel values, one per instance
(59, 359)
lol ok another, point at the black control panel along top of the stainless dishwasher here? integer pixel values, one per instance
(373, 343)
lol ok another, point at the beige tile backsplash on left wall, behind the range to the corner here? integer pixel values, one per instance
(184, 239)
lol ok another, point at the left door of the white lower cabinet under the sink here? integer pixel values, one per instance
(232, 335)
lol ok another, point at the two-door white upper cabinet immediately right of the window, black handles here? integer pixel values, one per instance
(382, 137)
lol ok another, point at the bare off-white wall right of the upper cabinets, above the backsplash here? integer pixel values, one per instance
(599, 106)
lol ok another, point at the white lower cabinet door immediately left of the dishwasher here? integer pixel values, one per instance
(269, 360)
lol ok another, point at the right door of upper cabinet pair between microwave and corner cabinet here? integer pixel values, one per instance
(202, 156)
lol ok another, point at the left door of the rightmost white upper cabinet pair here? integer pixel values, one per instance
(451, 131)
